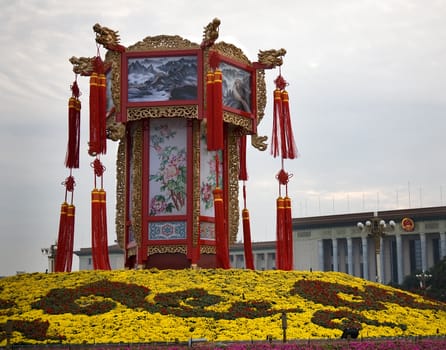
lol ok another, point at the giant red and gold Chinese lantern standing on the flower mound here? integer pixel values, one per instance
(181, 112)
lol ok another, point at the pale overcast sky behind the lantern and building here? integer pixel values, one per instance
(368, 101)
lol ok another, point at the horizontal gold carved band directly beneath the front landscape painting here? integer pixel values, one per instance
(187, 111)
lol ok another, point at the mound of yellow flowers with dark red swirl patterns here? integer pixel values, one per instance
(217, 305)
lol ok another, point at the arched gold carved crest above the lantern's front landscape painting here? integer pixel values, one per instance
(163, 42)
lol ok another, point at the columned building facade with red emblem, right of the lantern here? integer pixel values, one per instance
(336, 243)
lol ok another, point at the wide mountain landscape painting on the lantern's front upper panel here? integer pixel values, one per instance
(166, 78)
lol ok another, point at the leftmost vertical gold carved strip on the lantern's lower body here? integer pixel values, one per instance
(121, 194)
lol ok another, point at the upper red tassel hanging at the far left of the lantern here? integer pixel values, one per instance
(74, 112)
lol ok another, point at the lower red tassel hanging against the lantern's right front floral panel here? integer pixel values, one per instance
(221, 237)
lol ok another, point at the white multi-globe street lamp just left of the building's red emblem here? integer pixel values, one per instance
(377, 228)
